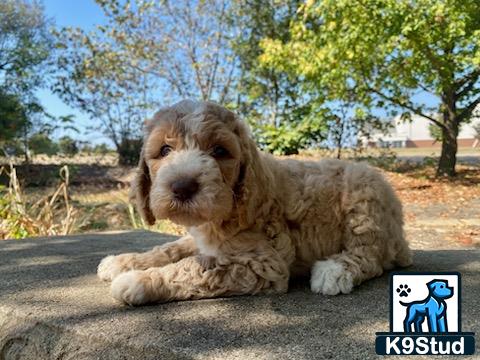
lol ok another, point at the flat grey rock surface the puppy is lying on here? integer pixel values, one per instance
(52, 306)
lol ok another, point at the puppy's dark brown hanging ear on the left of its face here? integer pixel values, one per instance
(140, 187)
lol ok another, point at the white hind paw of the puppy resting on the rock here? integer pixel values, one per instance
(330, 277)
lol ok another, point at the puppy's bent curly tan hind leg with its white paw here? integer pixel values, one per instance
(373, 238)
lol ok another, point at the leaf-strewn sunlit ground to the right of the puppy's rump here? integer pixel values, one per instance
(440, 214)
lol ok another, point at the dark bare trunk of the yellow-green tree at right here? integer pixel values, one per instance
(448, 157)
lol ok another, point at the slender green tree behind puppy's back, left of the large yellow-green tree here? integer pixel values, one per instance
(273, 101)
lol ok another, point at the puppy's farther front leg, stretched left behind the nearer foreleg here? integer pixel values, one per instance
(111, 266)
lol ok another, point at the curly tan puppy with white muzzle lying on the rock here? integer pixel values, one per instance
(253, 221)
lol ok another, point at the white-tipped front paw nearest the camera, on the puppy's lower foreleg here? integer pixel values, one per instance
(128, 288)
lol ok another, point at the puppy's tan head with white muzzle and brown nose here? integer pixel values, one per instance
(191, 164)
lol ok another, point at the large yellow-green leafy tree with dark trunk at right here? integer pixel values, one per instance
(389, 52)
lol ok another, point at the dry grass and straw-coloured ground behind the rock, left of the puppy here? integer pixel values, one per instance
(62, 209)
